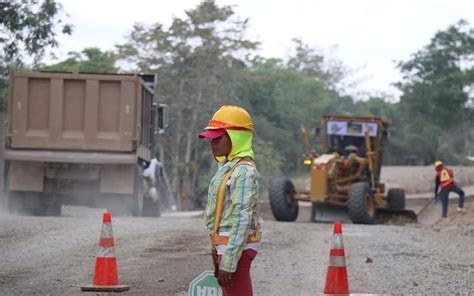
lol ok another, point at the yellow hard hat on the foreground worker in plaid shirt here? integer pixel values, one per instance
(231, 117)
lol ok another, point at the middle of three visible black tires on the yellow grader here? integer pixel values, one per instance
(361, 204)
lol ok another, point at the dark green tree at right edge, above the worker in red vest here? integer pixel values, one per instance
(437, 90)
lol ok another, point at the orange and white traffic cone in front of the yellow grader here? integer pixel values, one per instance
(336, 278)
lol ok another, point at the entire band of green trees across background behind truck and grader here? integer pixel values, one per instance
(203, 61)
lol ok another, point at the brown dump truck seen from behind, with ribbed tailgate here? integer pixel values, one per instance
(80, 139)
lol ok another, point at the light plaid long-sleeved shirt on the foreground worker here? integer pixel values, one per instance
(239, 212)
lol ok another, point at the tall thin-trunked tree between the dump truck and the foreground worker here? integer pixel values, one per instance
(194, 59)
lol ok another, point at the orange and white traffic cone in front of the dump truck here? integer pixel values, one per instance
(105, 275)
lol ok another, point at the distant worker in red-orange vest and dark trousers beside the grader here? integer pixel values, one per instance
(444, 185)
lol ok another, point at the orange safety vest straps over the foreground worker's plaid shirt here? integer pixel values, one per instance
(217, 239)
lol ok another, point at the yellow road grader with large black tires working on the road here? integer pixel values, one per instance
(345, 179)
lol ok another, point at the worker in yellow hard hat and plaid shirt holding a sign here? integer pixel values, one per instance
(231, 213)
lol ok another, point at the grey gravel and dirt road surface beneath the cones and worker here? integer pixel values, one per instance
(160, 256)
